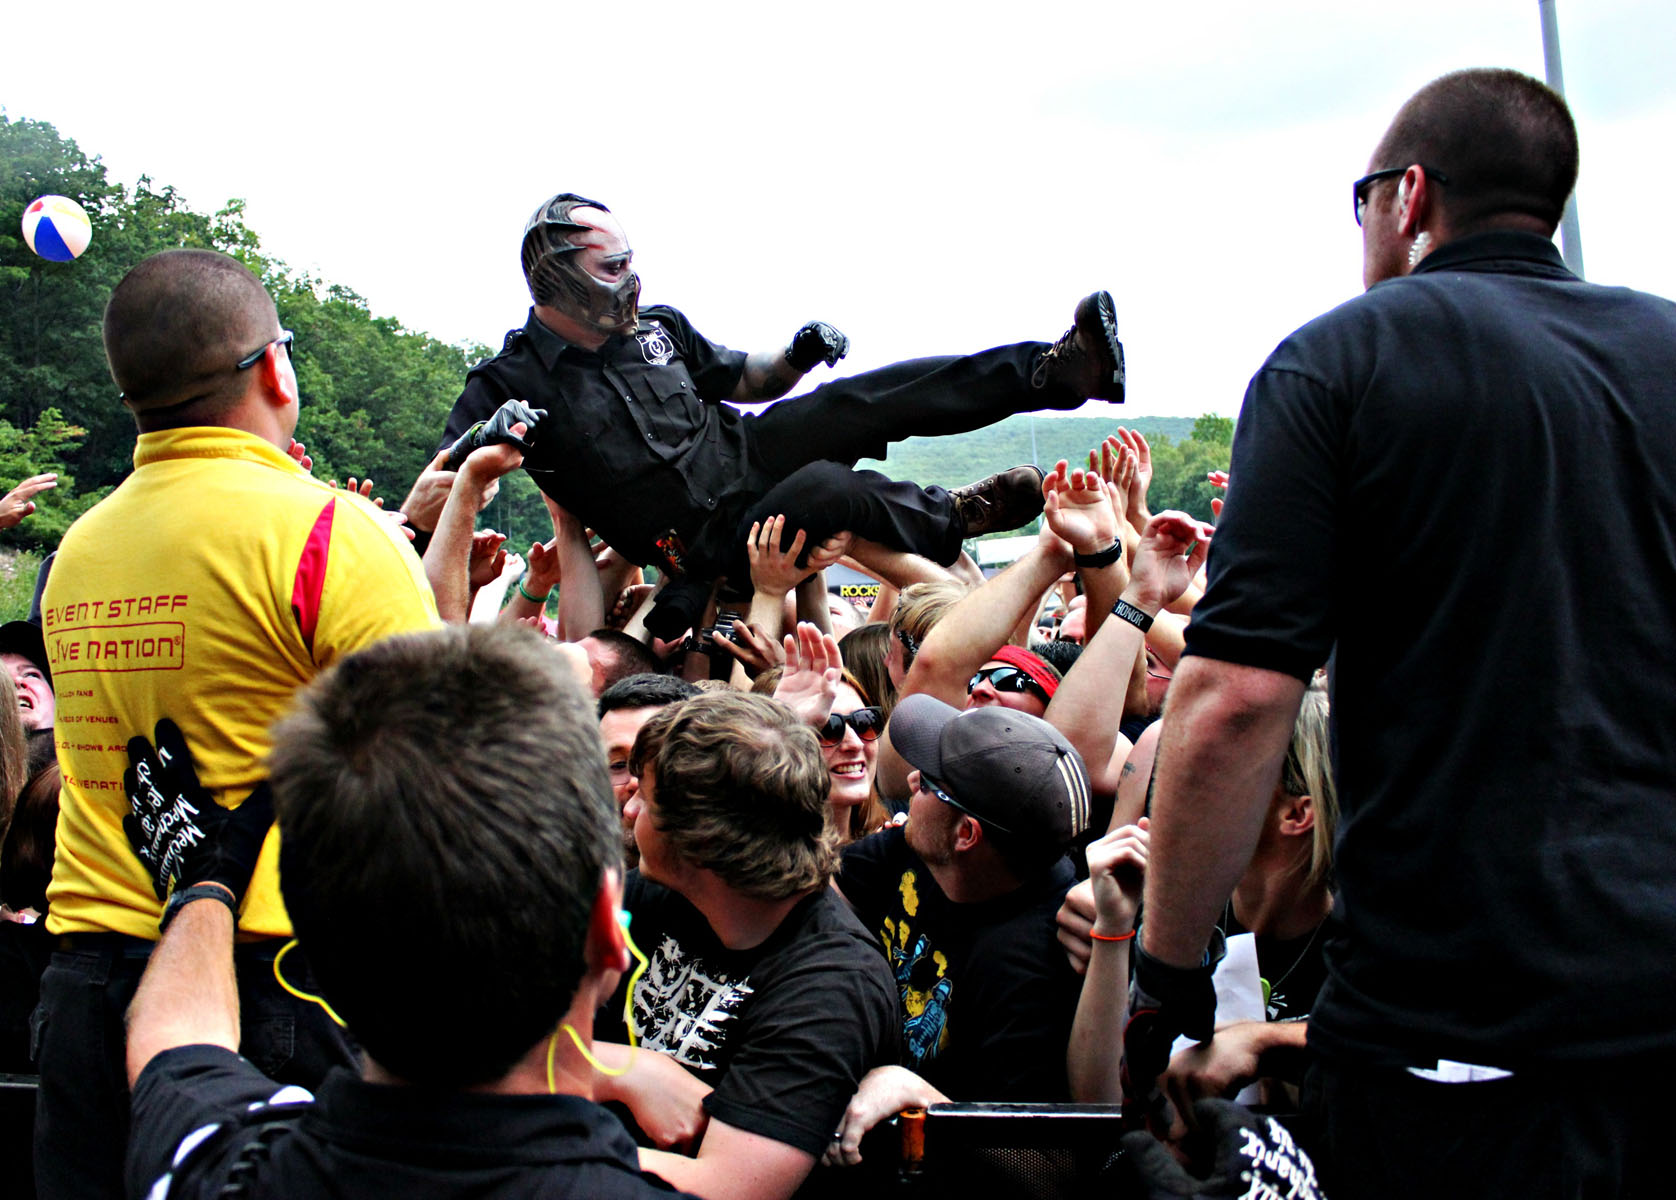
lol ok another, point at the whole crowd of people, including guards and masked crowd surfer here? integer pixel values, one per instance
(348, 852)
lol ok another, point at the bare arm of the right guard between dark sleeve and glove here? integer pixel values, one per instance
(1219, 760)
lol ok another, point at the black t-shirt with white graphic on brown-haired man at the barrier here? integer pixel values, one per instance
(784, 1032)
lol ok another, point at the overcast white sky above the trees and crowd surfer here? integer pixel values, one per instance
(928, 177)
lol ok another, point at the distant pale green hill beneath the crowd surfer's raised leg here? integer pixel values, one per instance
(963, 458)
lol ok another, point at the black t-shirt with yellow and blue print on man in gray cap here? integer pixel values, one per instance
(986, 993)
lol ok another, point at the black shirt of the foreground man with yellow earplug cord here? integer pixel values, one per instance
(202, 1110)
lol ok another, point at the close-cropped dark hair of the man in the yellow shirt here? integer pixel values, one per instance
(178, 324)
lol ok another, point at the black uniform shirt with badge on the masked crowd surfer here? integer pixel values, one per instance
(638, 442)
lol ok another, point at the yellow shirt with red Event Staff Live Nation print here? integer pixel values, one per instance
(209, 587)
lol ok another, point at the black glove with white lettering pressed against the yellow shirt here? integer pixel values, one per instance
(177, 829)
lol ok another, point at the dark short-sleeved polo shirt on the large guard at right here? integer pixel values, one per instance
(1464, 485)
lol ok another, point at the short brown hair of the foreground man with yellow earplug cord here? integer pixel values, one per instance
(445, 825)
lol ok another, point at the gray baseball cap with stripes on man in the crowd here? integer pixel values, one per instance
(1006, 768)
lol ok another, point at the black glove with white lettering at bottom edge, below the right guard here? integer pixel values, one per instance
(1249, 1157)
